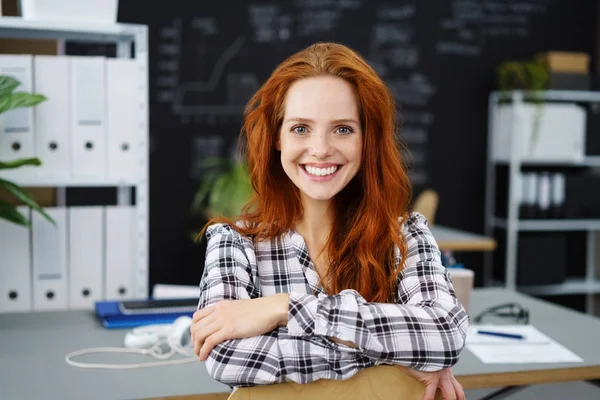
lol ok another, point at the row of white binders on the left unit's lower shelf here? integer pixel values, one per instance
(88, 255)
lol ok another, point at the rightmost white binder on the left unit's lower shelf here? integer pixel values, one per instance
(120, 252)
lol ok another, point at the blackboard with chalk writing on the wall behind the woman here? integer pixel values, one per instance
(438, 57)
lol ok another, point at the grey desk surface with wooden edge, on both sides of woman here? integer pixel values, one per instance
(34, 345)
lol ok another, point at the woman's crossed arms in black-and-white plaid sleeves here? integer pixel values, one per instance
(301, 337)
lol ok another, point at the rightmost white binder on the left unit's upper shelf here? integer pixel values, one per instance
(123, 117)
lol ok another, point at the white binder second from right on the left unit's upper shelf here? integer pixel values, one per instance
(88, 117)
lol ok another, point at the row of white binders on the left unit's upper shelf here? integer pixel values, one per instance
(90, 124)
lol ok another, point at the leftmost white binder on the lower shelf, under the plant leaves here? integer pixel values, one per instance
(15, 266)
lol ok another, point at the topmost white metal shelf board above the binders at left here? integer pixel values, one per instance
(17, 27)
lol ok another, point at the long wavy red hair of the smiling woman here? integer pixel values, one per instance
(369, 211)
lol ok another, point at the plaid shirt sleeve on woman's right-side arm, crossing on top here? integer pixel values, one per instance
(425, 330)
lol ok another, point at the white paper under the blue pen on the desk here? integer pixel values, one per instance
(536, 347)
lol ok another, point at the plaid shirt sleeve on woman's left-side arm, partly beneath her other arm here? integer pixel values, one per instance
(276, 356)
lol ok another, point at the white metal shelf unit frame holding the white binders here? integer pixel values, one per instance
(123, 36)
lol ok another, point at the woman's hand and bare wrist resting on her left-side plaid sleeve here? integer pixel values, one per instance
(236, 319)
